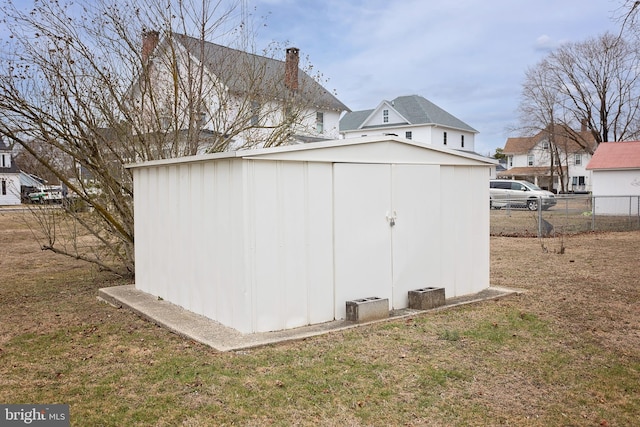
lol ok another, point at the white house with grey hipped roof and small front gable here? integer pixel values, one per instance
(411, 117)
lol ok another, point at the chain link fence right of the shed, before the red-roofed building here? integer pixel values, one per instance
(572, 214)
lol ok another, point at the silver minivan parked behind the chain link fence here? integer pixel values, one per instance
(510, 193)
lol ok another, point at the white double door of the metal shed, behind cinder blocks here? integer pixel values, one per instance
(373, 258)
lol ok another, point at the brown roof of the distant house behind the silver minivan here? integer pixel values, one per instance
(565, 139)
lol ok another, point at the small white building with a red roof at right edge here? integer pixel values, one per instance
(616, 178)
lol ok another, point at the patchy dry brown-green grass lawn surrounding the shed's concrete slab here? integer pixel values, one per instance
(564, 352)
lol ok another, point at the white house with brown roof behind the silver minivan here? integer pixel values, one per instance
(529, 159)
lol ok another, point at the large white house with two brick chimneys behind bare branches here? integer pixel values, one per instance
(188, 83)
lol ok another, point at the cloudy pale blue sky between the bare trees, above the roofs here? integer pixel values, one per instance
(467, 56)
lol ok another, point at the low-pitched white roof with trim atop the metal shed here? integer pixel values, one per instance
(373, 149)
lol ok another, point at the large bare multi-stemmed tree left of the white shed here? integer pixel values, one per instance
(78, 88)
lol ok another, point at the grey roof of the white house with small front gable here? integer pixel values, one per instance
(414, 108)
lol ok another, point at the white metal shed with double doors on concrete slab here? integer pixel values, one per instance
(273, 239)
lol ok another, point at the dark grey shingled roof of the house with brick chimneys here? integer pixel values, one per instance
(244, 72)
